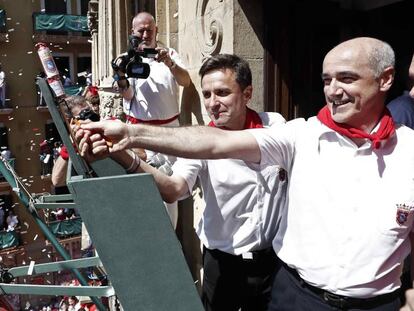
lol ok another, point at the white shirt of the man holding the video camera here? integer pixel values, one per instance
(156, 98)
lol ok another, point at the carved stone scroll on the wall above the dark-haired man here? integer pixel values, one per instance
(209, 28)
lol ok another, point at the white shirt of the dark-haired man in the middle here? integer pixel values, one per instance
(243, 207)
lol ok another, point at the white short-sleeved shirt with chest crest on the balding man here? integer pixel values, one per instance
(341, 233)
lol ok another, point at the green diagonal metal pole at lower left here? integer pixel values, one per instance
(45, 229)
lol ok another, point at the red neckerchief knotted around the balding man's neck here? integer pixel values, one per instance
(385, 130)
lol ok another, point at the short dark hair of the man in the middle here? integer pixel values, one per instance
(228, 61)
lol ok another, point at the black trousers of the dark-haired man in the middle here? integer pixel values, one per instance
(233, 283)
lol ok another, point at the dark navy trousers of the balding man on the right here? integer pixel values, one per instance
(289, 293)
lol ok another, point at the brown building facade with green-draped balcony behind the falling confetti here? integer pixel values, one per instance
(25, 123)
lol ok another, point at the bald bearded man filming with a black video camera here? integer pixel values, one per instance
(153, 99)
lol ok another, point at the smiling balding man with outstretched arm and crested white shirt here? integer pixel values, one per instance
(351, 176)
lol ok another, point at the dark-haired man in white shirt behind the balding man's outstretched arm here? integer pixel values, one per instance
(243, 207)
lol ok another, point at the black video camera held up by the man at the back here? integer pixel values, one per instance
(131, 62)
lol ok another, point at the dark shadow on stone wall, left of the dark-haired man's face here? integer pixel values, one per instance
(190, 104)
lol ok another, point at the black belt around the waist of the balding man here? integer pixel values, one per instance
(344, 302)
